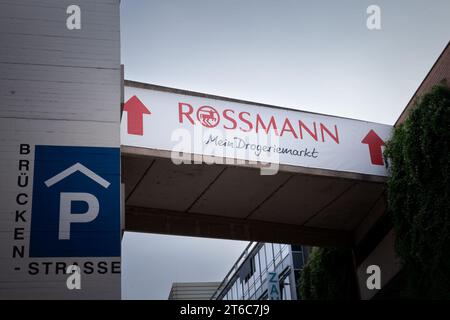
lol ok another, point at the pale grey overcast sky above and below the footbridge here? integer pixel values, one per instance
(315, 56)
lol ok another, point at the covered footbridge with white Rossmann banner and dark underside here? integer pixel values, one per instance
(327, 202)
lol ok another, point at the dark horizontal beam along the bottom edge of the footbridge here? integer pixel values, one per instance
(139, 219)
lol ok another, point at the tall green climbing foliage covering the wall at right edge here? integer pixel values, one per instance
(418, 194)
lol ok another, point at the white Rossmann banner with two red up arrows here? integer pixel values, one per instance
(187, 124)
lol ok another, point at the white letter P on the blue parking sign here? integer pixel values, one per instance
(67, 217)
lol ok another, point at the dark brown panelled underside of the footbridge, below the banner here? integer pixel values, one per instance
(236, 202)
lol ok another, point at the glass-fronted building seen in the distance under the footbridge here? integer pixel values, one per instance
(248, 279)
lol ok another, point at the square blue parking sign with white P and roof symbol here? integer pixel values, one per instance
(76, 202)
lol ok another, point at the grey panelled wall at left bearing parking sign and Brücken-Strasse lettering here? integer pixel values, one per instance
(60, 232)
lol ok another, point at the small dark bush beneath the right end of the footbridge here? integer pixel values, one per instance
(327, 275)
